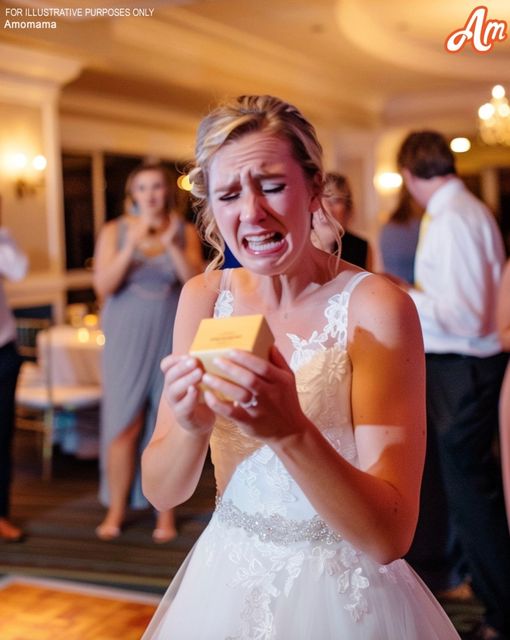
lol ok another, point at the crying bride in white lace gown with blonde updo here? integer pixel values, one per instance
(318, 452)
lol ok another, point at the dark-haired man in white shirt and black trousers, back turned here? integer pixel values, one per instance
(458, 267)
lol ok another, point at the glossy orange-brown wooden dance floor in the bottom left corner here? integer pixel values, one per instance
(43, 610)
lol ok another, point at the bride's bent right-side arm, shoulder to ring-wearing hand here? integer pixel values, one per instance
(376, 506)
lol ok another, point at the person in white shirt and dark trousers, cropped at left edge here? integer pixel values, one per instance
(13, 265)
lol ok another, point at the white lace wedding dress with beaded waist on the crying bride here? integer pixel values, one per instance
(267, 567)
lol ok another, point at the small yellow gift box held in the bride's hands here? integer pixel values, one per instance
(216, 336)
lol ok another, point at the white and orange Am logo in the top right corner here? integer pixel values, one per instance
(481, 32)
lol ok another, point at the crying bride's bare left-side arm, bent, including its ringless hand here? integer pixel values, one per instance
(173, 460)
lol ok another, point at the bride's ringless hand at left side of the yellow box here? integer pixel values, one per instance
(181, 391)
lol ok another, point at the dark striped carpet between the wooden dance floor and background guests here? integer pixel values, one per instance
(59, 518)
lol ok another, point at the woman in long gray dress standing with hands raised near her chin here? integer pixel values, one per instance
(141, 261)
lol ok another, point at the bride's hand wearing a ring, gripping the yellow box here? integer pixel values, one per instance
(263, 400)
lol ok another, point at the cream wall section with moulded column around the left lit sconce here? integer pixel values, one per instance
(30, 84)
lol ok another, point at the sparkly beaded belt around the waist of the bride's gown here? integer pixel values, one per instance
(275, 528)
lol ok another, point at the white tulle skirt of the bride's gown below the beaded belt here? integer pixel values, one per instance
(235, 586)
